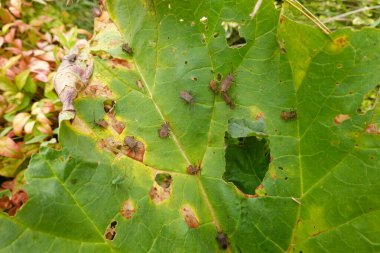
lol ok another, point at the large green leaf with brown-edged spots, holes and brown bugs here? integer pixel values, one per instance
(323, 179)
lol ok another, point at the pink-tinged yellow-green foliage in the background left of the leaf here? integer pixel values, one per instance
(34, 37)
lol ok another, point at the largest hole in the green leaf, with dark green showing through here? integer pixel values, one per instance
(247, 154)
